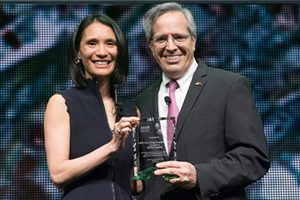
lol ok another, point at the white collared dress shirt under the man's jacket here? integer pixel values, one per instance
(184, 83)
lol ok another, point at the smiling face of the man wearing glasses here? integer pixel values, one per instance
(172, 45)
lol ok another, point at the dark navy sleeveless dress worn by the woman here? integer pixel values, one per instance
(90, 130)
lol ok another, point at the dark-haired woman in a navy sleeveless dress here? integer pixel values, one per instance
(88, 146)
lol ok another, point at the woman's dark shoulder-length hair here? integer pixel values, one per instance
(77, 69)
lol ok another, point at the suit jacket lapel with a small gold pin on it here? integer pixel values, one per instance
(198, 82)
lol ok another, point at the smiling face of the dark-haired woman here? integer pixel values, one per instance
(98, 51)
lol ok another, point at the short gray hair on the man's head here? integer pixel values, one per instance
(160, 9)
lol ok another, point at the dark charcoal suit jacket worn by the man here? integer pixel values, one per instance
(219, 131)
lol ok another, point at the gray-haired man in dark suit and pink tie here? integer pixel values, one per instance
(221, 146)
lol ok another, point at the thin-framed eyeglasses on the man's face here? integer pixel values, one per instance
(162, 40)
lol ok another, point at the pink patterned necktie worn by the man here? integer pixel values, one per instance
(172, 112)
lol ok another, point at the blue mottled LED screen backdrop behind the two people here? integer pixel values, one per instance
(260, 41)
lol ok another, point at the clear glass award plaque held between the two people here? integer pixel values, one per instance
(149, 147)
